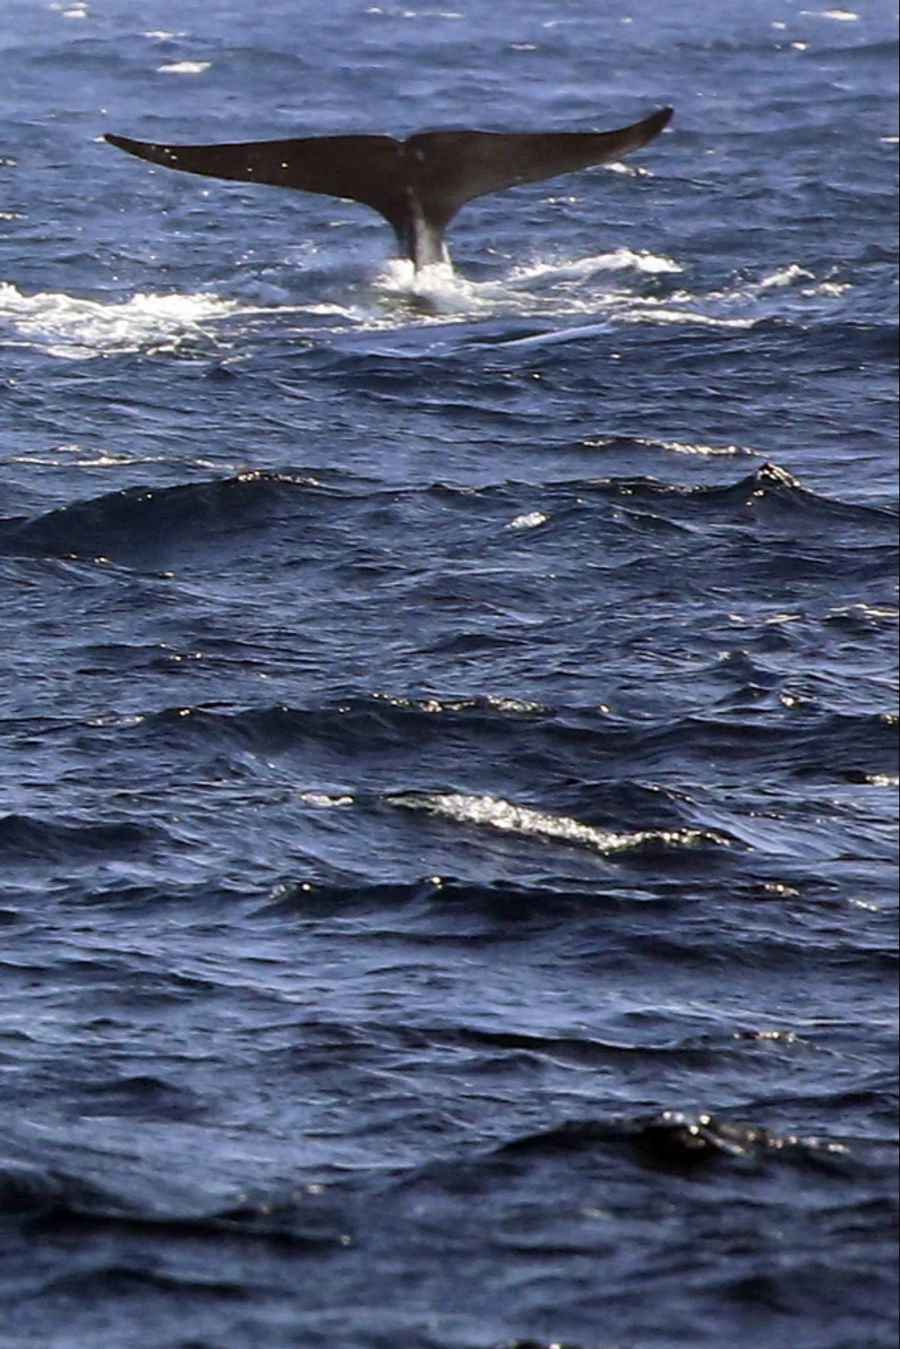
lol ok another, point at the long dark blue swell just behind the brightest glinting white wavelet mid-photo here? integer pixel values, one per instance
(801, 737)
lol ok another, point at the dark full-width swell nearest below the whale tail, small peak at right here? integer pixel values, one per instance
(202, 515)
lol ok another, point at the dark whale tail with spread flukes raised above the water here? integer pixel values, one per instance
(419, 184)
